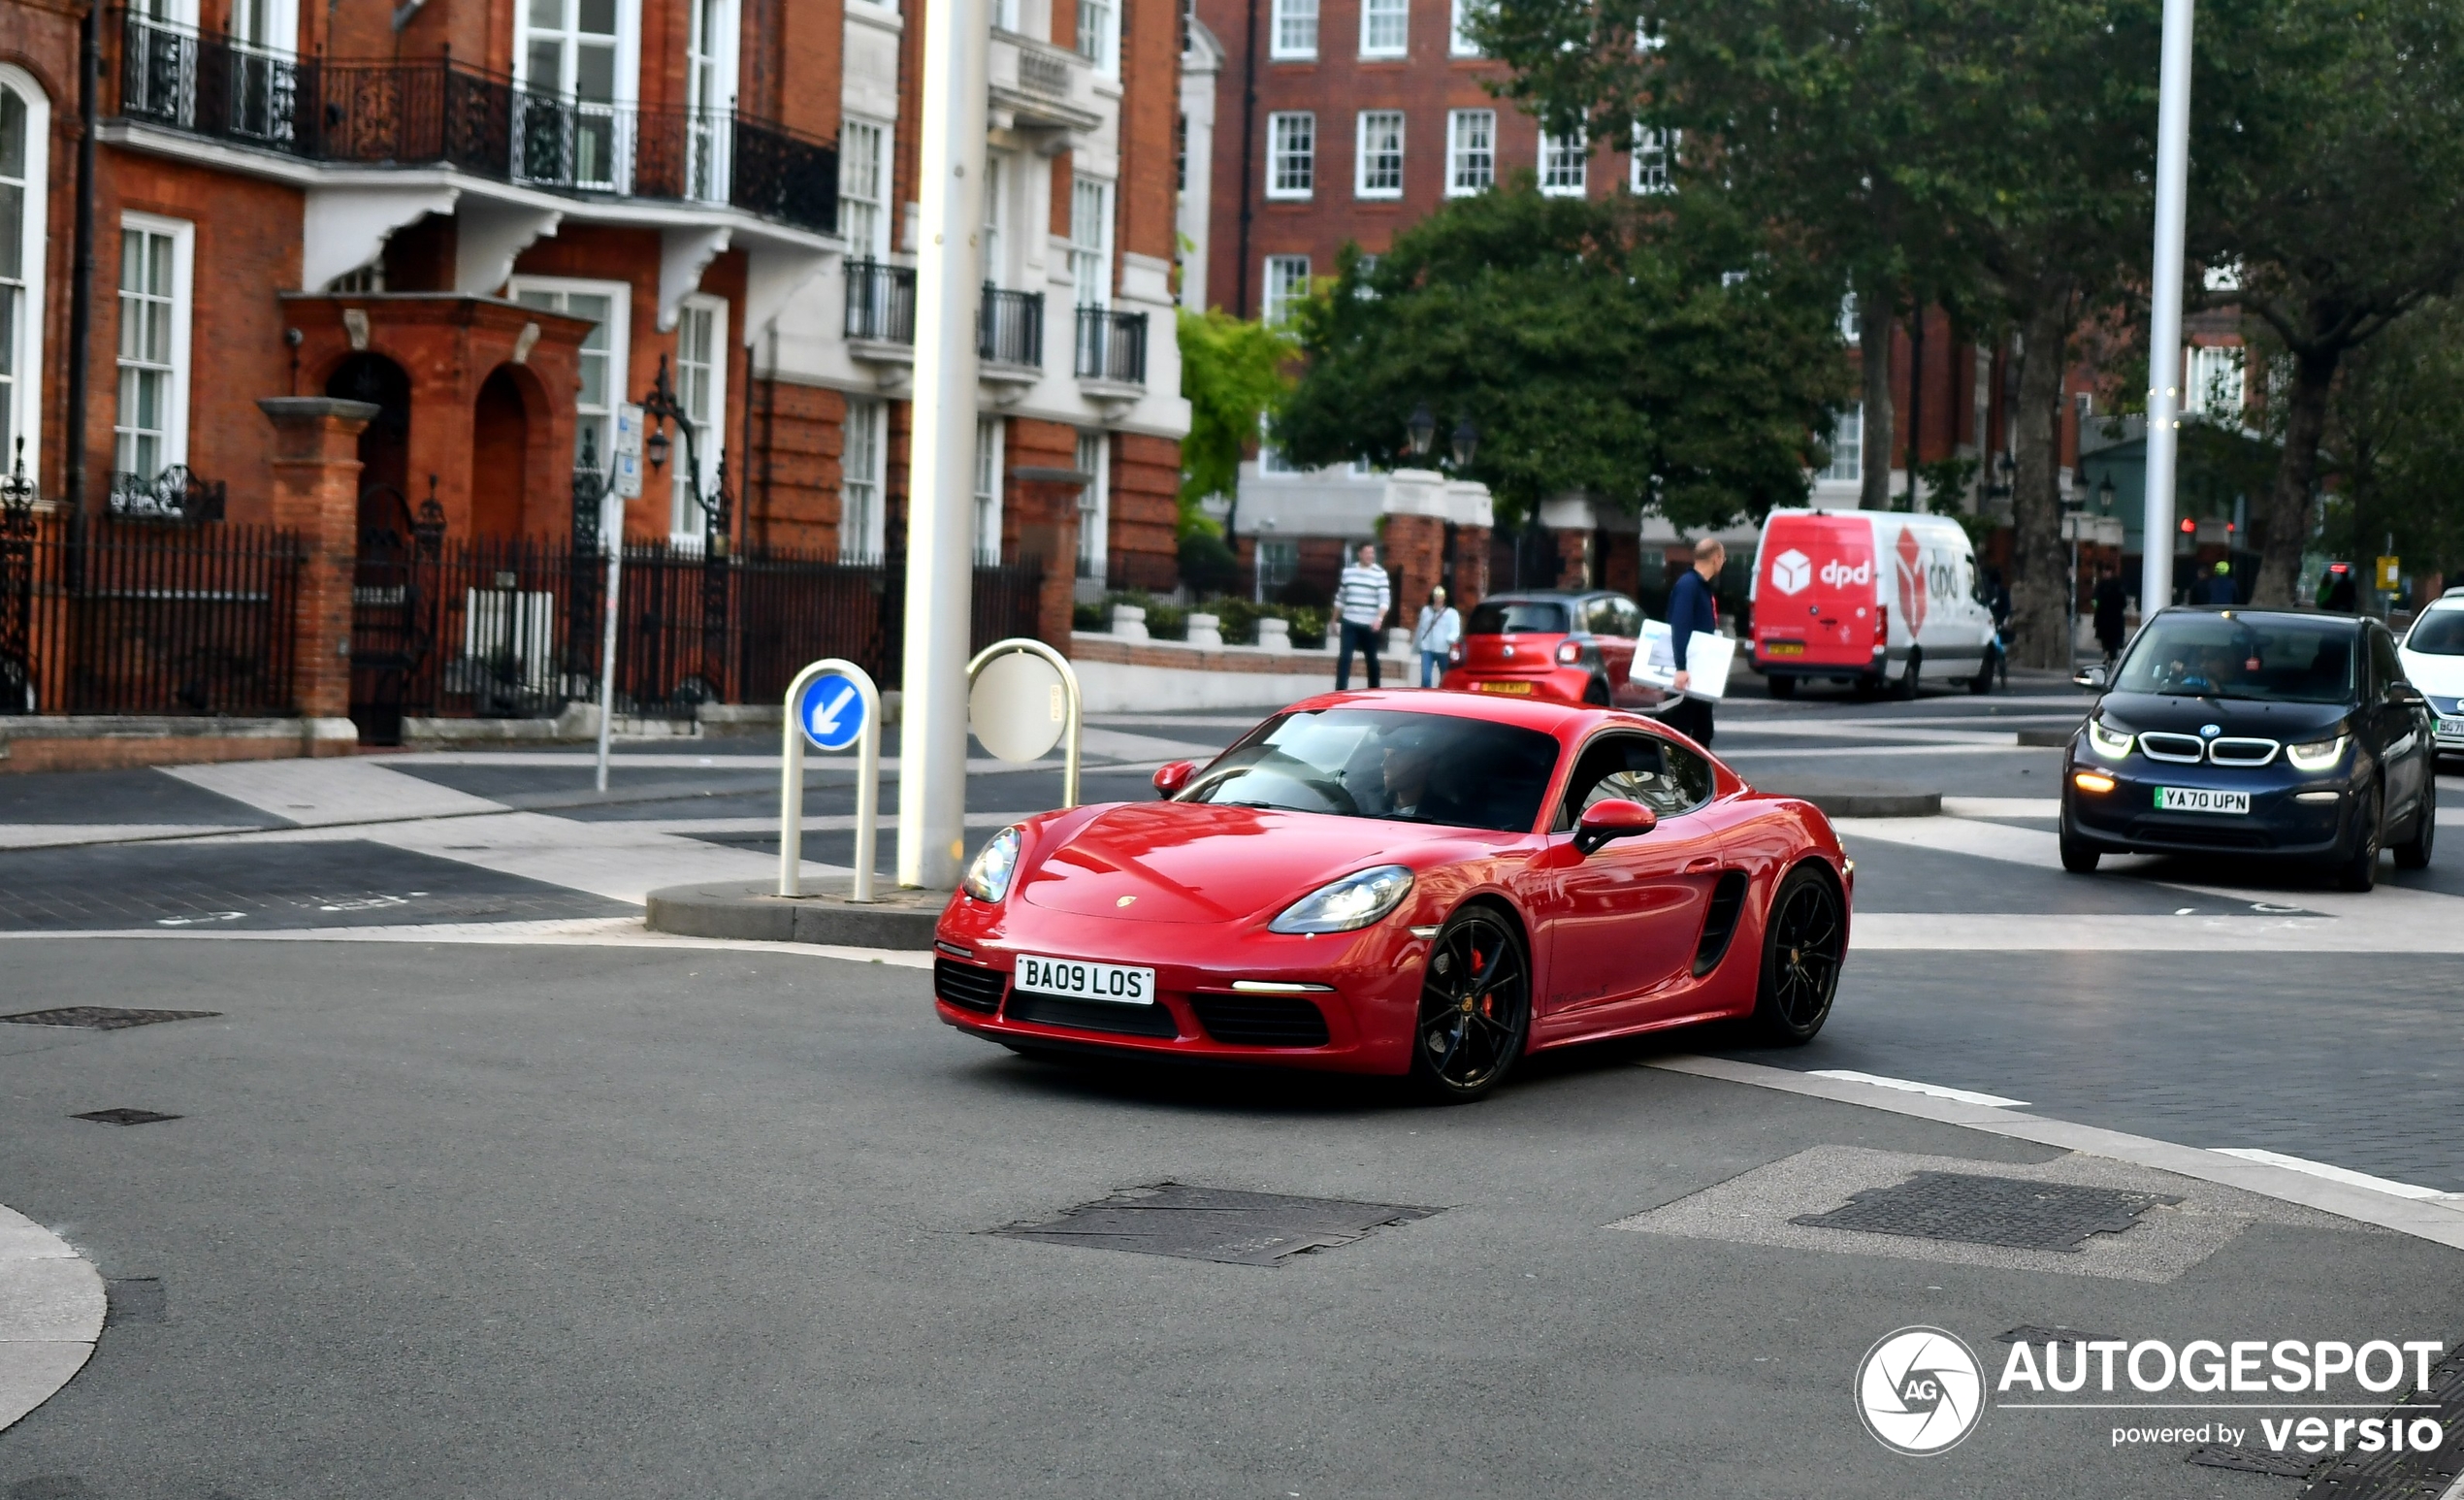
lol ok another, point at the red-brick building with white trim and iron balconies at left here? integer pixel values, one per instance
(499, 220)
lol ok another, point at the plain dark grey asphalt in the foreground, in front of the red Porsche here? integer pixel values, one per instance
(450, 1220)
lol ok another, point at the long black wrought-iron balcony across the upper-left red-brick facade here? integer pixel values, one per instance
(440, 112)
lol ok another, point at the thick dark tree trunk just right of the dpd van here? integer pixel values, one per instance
(2039, 568)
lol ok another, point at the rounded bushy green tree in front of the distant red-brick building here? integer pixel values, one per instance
(1652, 353)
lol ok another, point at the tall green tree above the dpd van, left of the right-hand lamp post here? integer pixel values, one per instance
(1992, 154)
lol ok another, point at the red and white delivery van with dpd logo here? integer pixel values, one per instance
(1869, 597)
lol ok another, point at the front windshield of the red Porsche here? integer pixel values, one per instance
(1386, 765)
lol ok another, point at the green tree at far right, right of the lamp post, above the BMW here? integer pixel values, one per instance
(2330, 171)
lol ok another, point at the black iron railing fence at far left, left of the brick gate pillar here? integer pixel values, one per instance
(115, 617)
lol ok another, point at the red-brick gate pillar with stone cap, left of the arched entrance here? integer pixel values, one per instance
(317, 494)
